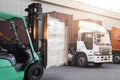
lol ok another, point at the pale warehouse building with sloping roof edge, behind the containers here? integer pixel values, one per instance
(78, 10)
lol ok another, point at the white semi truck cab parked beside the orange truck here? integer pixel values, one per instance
(93, 45)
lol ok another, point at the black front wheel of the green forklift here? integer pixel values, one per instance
(34, 72)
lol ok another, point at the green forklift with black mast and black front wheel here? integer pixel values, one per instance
(19, 58)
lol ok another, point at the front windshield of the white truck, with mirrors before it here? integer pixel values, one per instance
(102, 39)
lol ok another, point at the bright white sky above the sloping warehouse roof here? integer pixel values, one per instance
(112, 5)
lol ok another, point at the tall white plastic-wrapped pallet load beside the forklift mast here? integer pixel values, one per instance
(56, 42)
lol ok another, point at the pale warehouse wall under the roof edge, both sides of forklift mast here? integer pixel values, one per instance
(18, 6)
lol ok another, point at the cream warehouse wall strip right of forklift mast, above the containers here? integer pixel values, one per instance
(106, 21)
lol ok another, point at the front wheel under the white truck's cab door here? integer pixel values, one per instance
(81, 60)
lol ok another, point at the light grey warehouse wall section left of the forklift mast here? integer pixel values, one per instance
(14, 6)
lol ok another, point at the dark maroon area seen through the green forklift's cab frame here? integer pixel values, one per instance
(13, 31)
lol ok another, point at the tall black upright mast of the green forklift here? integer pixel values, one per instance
(34, 22)
